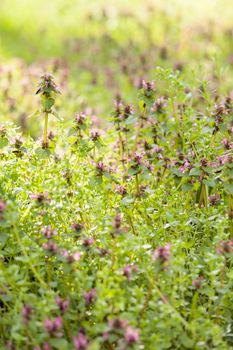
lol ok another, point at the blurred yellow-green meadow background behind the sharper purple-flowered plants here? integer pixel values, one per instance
(100, 49)
